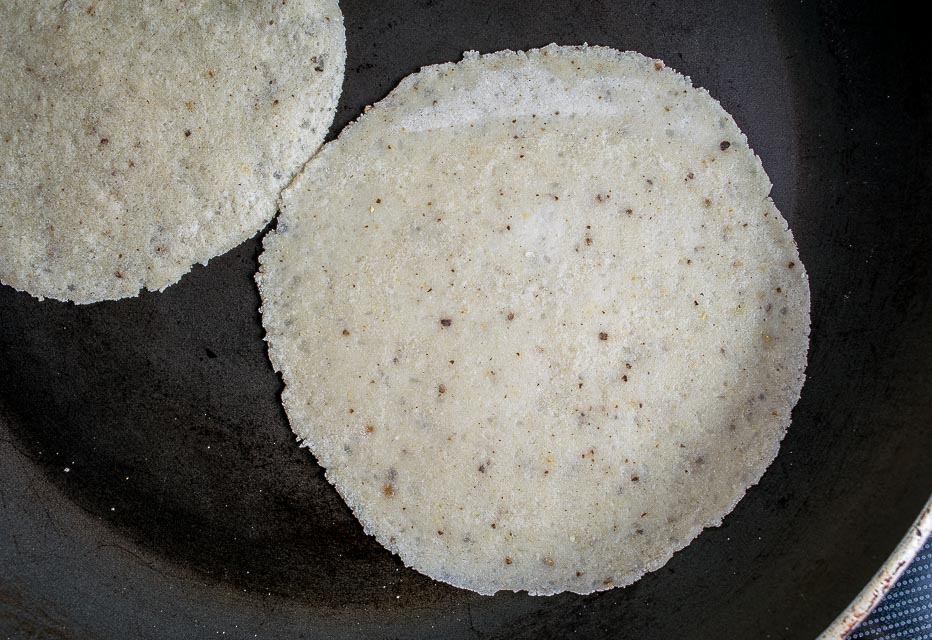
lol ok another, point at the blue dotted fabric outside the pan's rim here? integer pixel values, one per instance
(906, 612)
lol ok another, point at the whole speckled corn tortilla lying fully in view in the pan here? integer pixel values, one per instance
(538, 318)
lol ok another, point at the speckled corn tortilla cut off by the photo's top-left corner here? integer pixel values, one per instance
(140, 138)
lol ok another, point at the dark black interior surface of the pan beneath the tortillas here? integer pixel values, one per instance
(150, 486)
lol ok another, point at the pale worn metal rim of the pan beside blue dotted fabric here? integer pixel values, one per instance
(885, 578)
